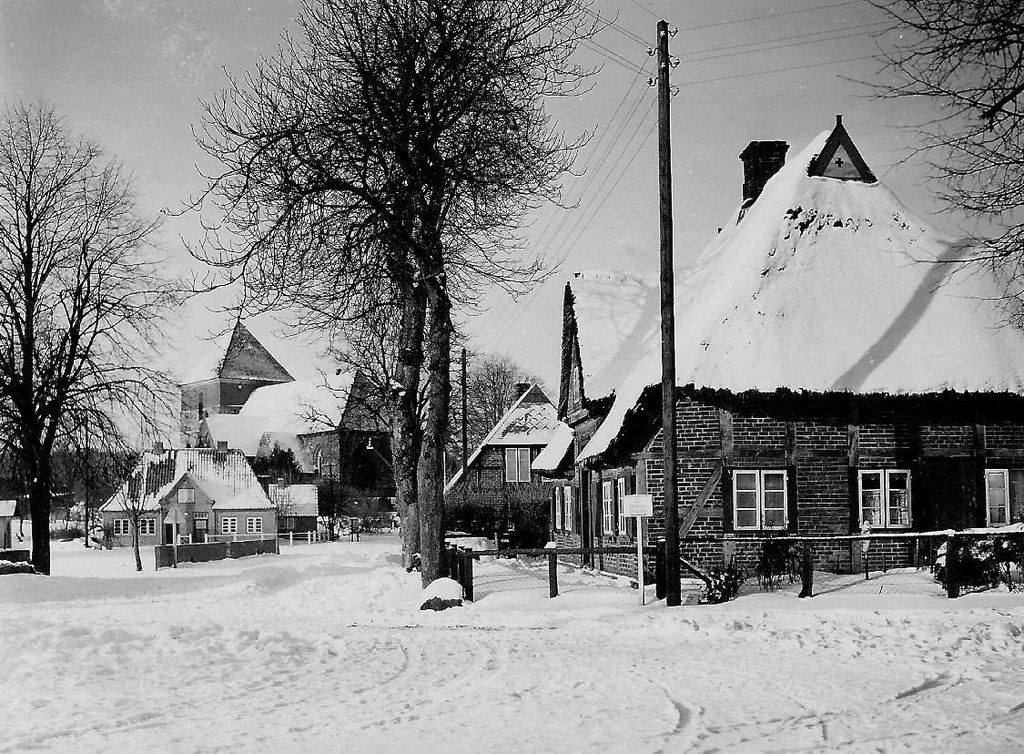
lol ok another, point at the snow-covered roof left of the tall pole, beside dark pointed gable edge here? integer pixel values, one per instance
(614, 312)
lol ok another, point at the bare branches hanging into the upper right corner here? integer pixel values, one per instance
(968, 57)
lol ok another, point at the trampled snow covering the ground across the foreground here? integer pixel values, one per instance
(325, 649)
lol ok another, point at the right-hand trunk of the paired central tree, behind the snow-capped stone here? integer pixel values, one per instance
(438, 398)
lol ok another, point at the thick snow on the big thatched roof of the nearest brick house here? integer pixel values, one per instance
(832, 285)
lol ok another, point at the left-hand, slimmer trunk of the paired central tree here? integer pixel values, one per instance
(406, 433)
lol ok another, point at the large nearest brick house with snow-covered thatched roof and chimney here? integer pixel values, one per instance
(837, 369)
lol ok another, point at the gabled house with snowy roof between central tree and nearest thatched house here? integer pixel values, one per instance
(501, 490)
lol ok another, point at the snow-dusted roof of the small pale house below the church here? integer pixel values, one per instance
(227, 479)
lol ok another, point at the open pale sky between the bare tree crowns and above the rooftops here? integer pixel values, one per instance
(132, 74)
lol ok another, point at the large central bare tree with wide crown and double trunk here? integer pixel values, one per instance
(383, 163)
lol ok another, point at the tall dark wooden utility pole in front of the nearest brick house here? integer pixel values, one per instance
(672, 595)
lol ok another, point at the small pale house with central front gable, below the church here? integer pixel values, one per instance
(212, 494)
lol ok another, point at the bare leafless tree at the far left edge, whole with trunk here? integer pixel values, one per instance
(79, 298)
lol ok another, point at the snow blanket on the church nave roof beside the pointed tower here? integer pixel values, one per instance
(298, 407)
